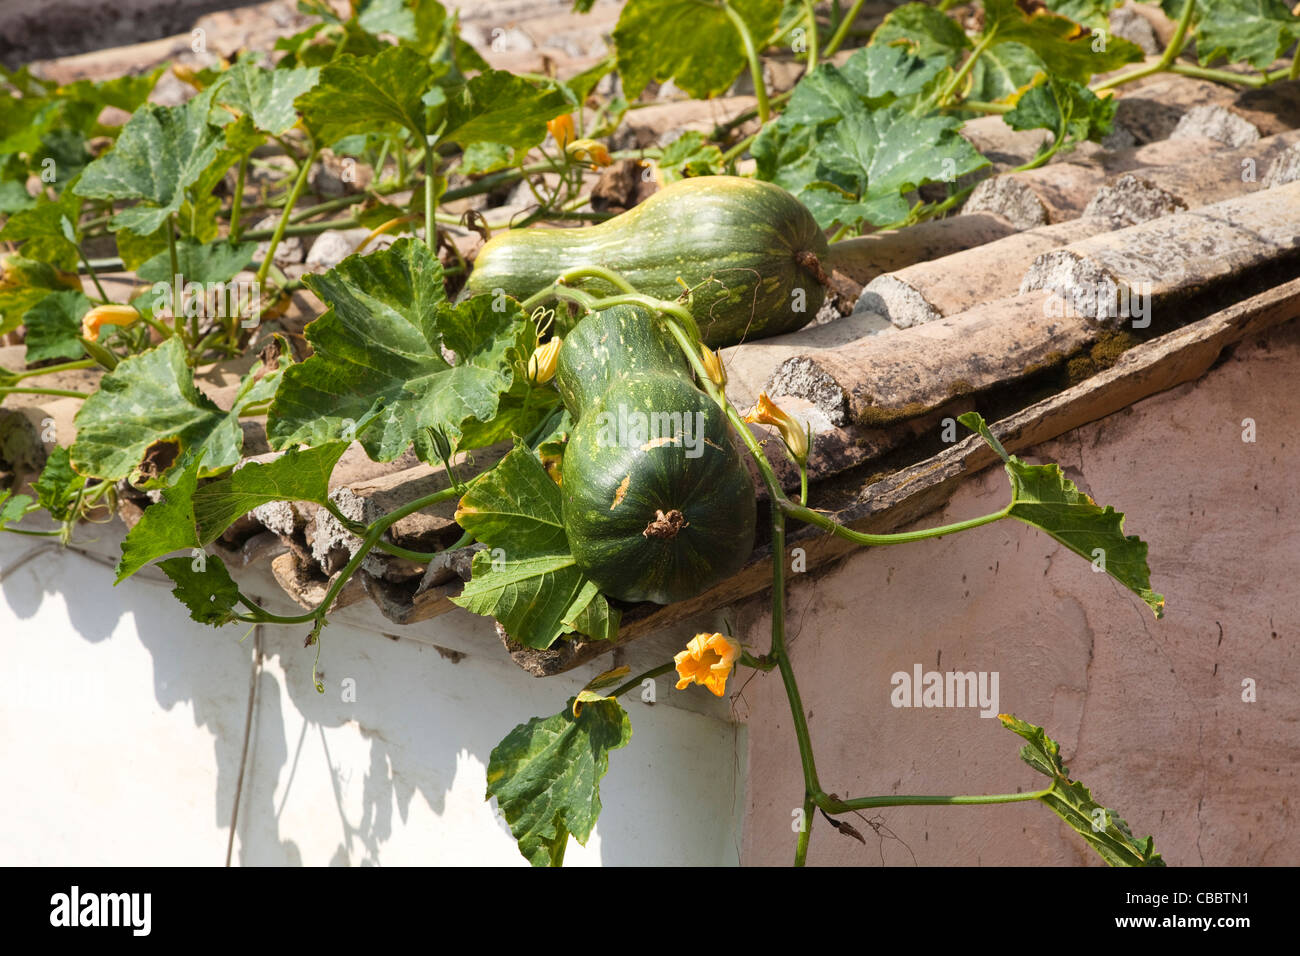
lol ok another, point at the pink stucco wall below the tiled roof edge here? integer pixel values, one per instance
(1150, 715)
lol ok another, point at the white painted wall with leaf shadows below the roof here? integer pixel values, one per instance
(123, 726)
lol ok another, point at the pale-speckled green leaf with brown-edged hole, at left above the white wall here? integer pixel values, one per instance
(151, 404)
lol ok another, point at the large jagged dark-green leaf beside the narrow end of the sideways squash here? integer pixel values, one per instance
(379, 356)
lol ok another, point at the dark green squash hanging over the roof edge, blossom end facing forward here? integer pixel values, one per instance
(658, 504)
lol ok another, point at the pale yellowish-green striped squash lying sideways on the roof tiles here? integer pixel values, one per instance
(752, 253)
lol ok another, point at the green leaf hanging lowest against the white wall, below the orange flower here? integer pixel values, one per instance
(547, 776)
